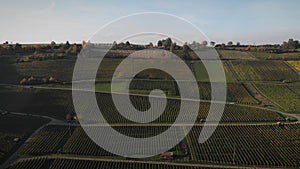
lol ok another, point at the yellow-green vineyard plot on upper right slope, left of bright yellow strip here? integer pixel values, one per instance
(263, 71)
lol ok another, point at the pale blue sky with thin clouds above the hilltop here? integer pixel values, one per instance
(244, 21)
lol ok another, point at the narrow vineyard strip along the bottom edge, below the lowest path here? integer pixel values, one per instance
(43, 163)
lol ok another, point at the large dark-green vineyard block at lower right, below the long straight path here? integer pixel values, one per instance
(268, 145)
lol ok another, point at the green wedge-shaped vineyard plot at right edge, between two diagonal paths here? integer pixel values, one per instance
(282, 96)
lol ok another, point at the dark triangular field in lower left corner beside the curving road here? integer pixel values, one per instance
(16, 126)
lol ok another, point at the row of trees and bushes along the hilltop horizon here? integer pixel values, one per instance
(53, 50)
